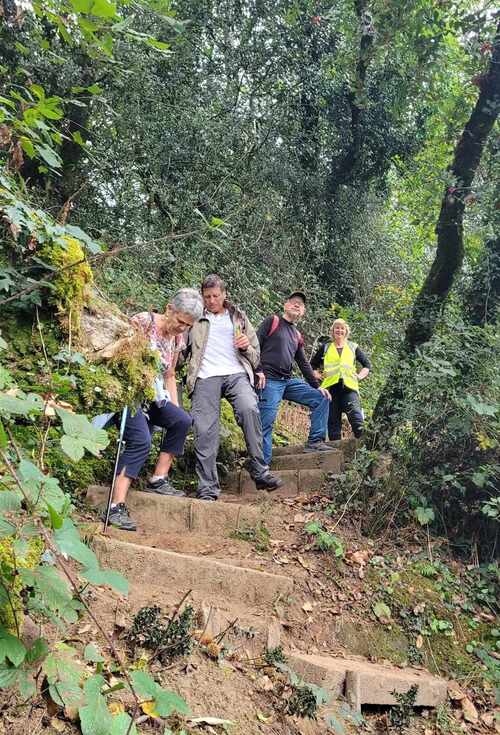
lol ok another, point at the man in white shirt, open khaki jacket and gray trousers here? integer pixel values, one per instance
(224, 351)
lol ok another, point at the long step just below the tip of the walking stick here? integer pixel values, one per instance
(159, 573)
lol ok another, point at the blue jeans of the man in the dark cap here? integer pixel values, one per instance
(296, 391)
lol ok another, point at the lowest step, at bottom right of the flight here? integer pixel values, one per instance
(363, 682)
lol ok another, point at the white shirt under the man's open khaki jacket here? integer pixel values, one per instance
(221, 356)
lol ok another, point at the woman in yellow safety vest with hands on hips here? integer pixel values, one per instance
(335, 362)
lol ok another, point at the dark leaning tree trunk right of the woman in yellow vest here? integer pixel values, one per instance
(450, 247)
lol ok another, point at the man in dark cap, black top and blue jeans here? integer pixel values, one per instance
(281, 344)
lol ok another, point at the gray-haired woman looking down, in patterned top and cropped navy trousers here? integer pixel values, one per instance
(166, 334)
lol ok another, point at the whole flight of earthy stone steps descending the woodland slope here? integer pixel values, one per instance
(182, 544)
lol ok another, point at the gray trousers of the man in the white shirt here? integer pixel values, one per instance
(205, 410)
